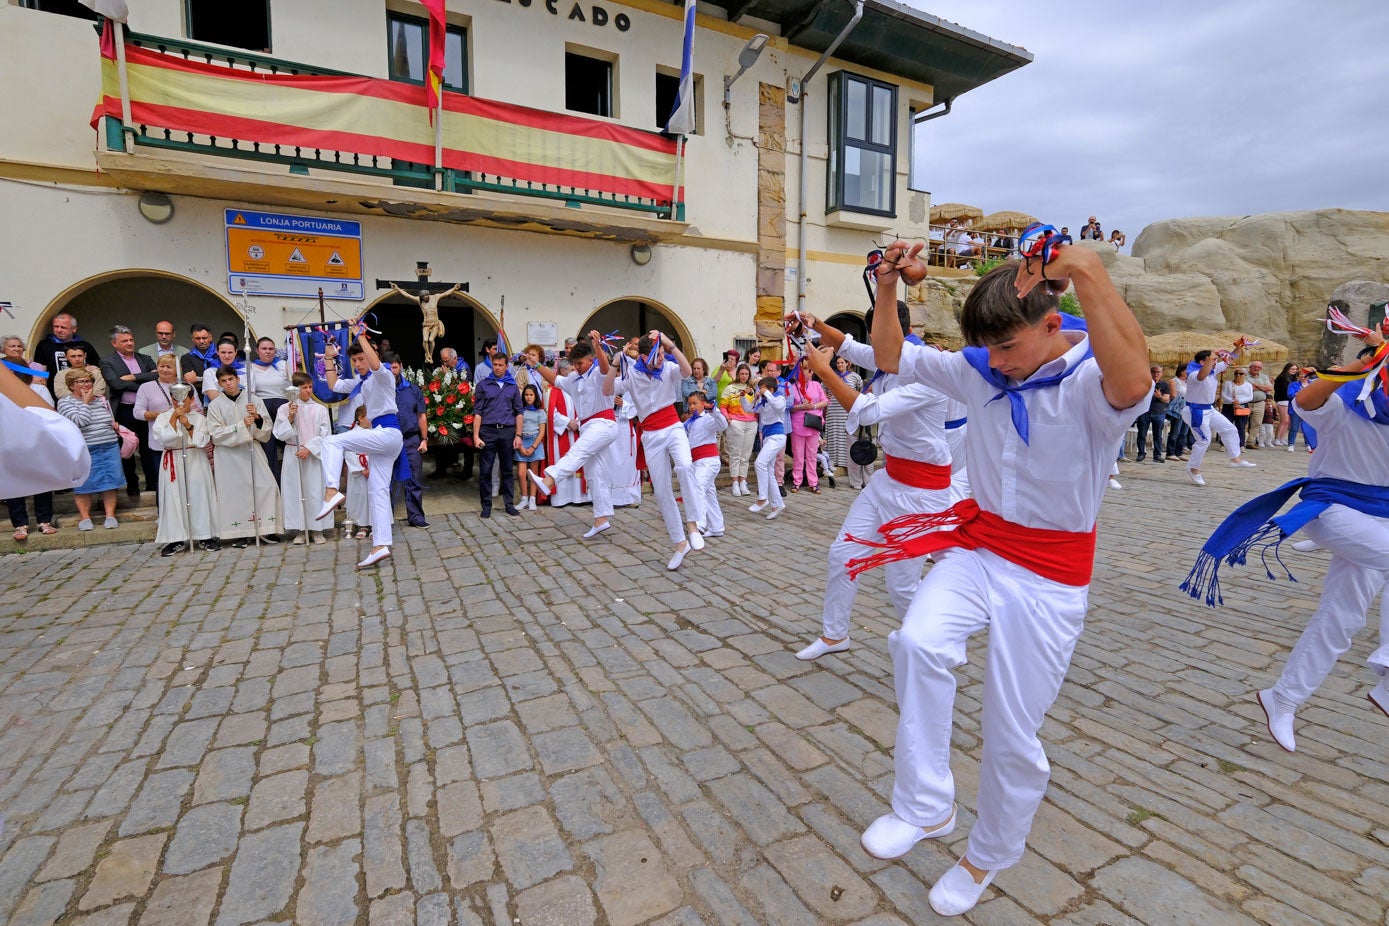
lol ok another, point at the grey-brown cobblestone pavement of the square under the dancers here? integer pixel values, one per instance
(508, 725)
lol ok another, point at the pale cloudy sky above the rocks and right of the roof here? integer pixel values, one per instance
(1144, 112)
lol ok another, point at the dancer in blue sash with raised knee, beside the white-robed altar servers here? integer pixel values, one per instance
(381, 444)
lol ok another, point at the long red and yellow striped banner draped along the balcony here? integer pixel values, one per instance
(370, 116)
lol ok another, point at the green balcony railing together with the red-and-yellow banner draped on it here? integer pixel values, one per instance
(224, 103)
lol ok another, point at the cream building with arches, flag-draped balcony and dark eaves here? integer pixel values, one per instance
(131, 227)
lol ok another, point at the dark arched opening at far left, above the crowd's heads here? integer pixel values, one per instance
(141, 301)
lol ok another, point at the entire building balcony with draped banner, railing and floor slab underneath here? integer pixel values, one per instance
(209, 121)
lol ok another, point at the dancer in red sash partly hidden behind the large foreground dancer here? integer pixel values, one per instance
(916, 480)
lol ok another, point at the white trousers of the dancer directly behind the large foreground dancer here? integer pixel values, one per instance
(883, 500)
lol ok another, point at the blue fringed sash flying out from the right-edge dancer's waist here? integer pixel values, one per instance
(1258, 524)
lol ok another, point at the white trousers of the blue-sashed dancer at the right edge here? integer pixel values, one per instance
(1359, 571)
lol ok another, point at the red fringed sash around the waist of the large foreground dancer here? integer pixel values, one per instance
(1061, 556)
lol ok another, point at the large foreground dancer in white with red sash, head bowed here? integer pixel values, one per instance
(1048, 409)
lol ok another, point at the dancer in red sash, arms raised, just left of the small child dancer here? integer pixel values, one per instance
(654, 385)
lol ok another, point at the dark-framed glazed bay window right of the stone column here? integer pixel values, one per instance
(863, 145)
